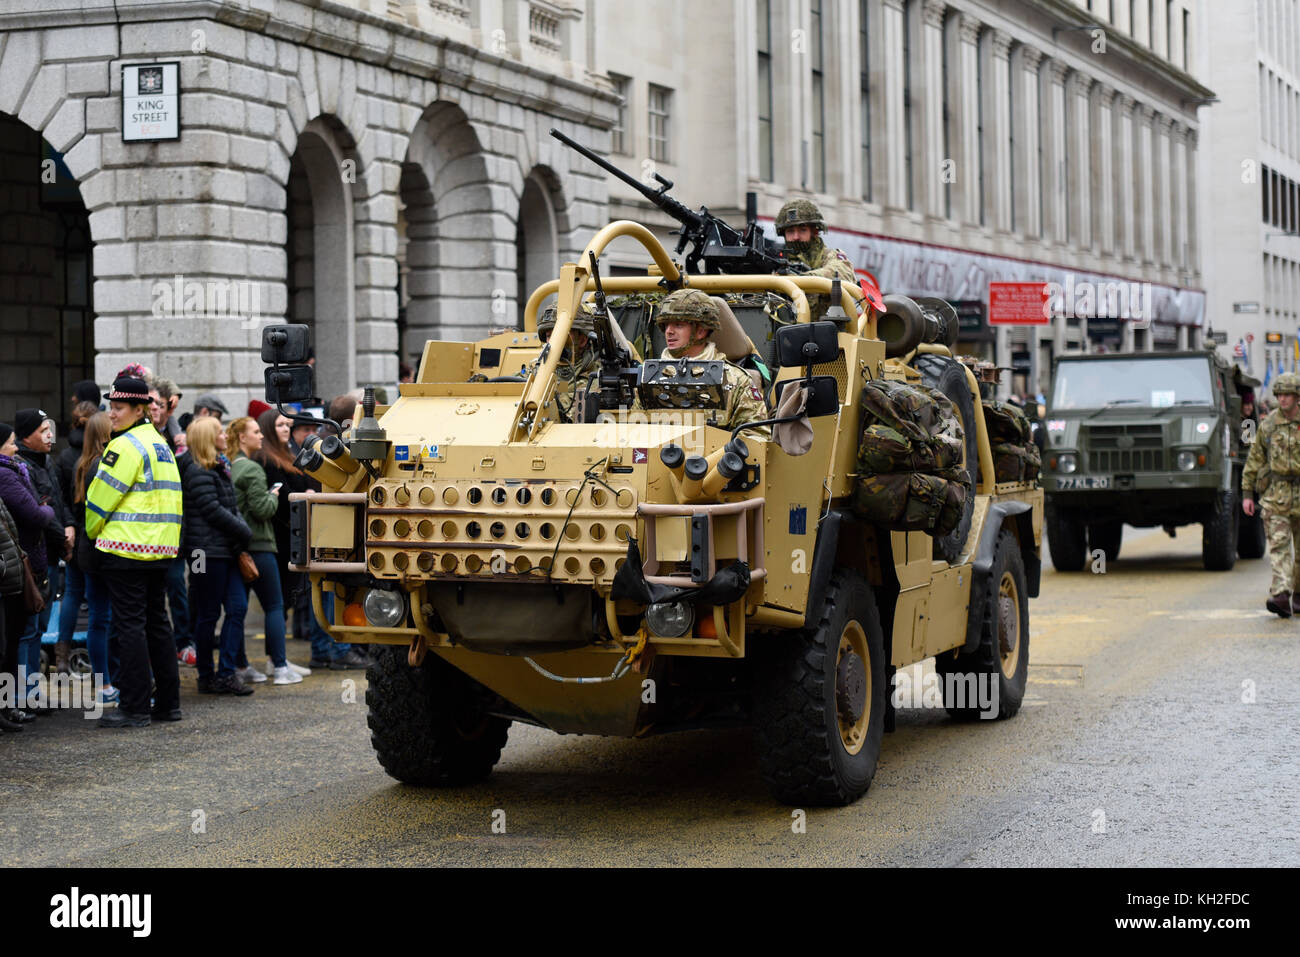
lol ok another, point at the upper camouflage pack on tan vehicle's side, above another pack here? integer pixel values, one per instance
(908, 428)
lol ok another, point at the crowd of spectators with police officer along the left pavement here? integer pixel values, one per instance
(161, 526)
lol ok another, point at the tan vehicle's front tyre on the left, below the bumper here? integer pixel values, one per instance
(427, 725)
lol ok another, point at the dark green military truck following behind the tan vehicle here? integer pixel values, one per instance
(1147, 440)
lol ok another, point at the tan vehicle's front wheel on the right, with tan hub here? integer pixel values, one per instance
(820, 700)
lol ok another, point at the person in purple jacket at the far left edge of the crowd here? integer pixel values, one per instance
(32, 519)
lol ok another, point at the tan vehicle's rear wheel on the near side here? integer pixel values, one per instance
(999, 668)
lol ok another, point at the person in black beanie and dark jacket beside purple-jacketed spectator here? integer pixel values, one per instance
(34, 431)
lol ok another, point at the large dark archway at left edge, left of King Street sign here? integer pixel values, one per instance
(46, 276)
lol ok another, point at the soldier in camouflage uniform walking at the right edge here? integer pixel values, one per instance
(1273, 474)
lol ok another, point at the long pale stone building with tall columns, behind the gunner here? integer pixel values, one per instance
(948, 144)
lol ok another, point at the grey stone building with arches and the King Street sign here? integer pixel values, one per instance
(324, 150)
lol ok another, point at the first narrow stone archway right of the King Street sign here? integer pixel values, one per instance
(320, 250)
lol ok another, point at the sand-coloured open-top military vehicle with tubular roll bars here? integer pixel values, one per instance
(640, 570)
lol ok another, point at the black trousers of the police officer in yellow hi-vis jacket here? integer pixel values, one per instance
(141, 635)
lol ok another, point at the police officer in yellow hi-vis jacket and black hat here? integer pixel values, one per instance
(133, 513)
